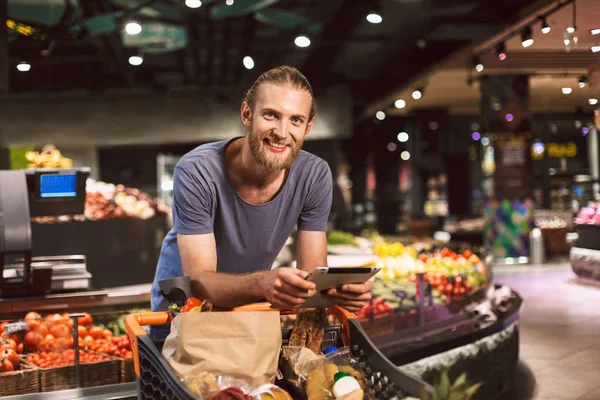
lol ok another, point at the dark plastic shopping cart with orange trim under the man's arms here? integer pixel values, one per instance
(156, 380)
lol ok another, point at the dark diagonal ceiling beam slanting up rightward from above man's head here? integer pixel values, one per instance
(351, 13)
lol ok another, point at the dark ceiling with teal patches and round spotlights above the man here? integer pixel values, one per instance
(77, 44)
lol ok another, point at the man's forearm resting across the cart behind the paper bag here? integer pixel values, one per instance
(228, 290)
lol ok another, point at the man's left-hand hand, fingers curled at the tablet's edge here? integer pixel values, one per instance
(287, 287)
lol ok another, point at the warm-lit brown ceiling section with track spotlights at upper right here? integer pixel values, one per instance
(551, 61)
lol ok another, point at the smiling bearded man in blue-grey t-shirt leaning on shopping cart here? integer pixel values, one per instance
(237, 201)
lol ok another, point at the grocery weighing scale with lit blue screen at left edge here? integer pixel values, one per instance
(38, 193)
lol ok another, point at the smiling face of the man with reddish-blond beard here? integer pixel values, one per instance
(277, 125)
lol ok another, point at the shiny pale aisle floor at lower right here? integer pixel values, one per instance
(560, 334)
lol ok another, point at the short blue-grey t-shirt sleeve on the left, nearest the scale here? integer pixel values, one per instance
(192, 203)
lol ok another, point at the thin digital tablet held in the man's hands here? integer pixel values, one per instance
(334, 277)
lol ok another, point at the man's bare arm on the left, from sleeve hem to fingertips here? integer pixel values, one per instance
(284, 287)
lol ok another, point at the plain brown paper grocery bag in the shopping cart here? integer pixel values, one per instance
(244, 345)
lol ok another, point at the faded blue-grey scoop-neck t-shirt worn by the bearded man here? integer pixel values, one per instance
(248, 237)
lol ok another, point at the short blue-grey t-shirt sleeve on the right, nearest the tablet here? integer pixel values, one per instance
(317, 205)
